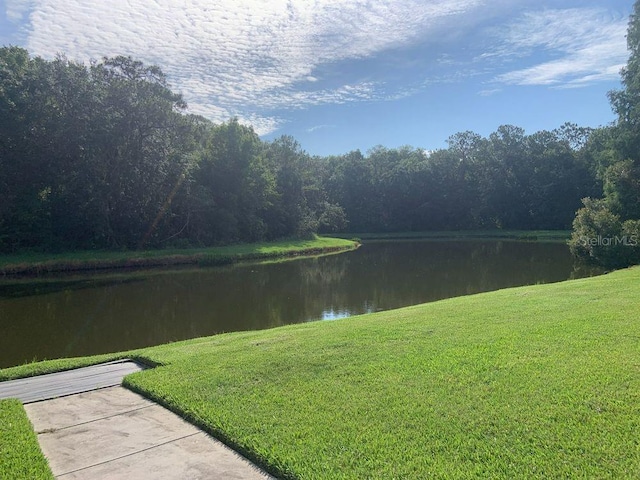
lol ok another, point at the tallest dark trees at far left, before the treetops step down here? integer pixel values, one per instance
(90, 154)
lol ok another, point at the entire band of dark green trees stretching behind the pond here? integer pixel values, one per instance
(105, 156)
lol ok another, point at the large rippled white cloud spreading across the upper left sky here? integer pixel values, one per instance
(239, 55)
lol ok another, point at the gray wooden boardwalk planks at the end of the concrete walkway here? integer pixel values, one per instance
(53, 385)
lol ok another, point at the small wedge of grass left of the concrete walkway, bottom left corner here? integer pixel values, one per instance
(20, 454)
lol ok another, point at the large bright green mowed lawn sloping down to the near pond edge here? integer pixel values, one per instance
(531, 382)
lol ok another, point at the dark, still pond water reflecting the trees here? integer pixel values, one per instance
(65, 316)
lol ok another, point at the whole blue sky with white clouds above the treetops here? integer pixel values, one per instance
(340, 75)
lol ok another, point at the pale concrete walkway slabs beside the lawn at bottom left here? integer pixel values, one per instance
(115, 433)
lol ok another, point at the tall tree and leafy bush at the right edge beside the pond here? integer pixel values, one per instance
(606, 231)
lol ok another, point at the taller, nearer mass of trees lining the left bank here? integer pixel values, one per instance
(104, 156)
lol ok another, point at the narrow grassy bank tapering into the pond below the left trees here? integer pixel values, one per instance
(36, 263)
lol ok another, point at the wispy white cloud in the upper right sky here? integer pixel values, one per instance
(589, 46)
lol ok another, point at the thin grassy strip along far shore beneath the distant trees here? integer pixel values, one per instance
(521, 235)
